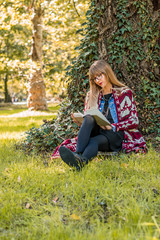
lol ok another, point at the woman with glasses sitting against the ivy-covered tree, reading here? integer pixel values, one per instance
(115, 101)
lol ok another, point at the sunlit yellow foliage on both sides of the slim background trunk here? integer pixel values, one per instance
(61, 19)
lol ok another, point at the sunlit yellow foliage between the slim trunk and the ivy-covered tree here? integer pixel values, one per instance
(62, 21)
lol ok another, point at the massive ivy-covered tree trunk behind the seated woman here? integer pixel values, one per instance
(125, 34)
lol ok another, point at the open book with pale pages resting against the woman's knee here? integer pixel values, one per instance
(99, 117)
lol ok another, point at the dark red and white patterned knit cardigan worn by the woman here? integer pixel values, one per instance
(127, 121)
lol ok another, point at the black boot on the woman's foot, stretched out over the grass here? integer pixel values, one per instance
(72, 159)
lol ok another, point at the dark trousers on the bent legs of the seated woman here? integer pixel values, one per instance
(92, 138)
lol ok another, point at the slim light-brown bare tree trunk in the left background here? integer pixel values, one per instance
(37, 96)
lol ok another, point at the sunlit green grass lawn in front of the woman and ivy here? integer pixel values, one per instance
(116, 198)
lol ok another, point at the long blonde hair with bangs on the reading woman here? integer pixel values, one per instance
(96, 69)
